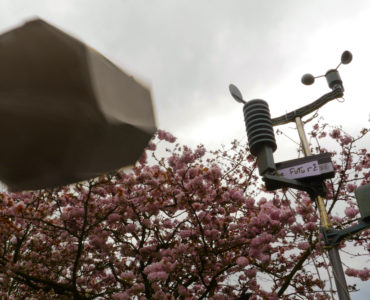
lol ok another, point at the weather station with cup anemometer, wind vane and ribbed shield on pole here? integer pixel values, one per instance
(307, 173)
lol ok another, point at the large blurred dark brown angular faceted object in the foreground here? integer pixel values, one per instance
(66, 112)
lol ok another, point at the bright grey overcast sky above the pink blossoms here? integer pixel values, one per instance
(189, 51)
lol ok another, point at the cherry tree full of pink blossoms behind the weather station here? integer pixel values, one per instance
(193, 224)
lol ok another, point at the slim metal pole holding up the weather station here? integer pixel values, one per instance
(336, 263)
